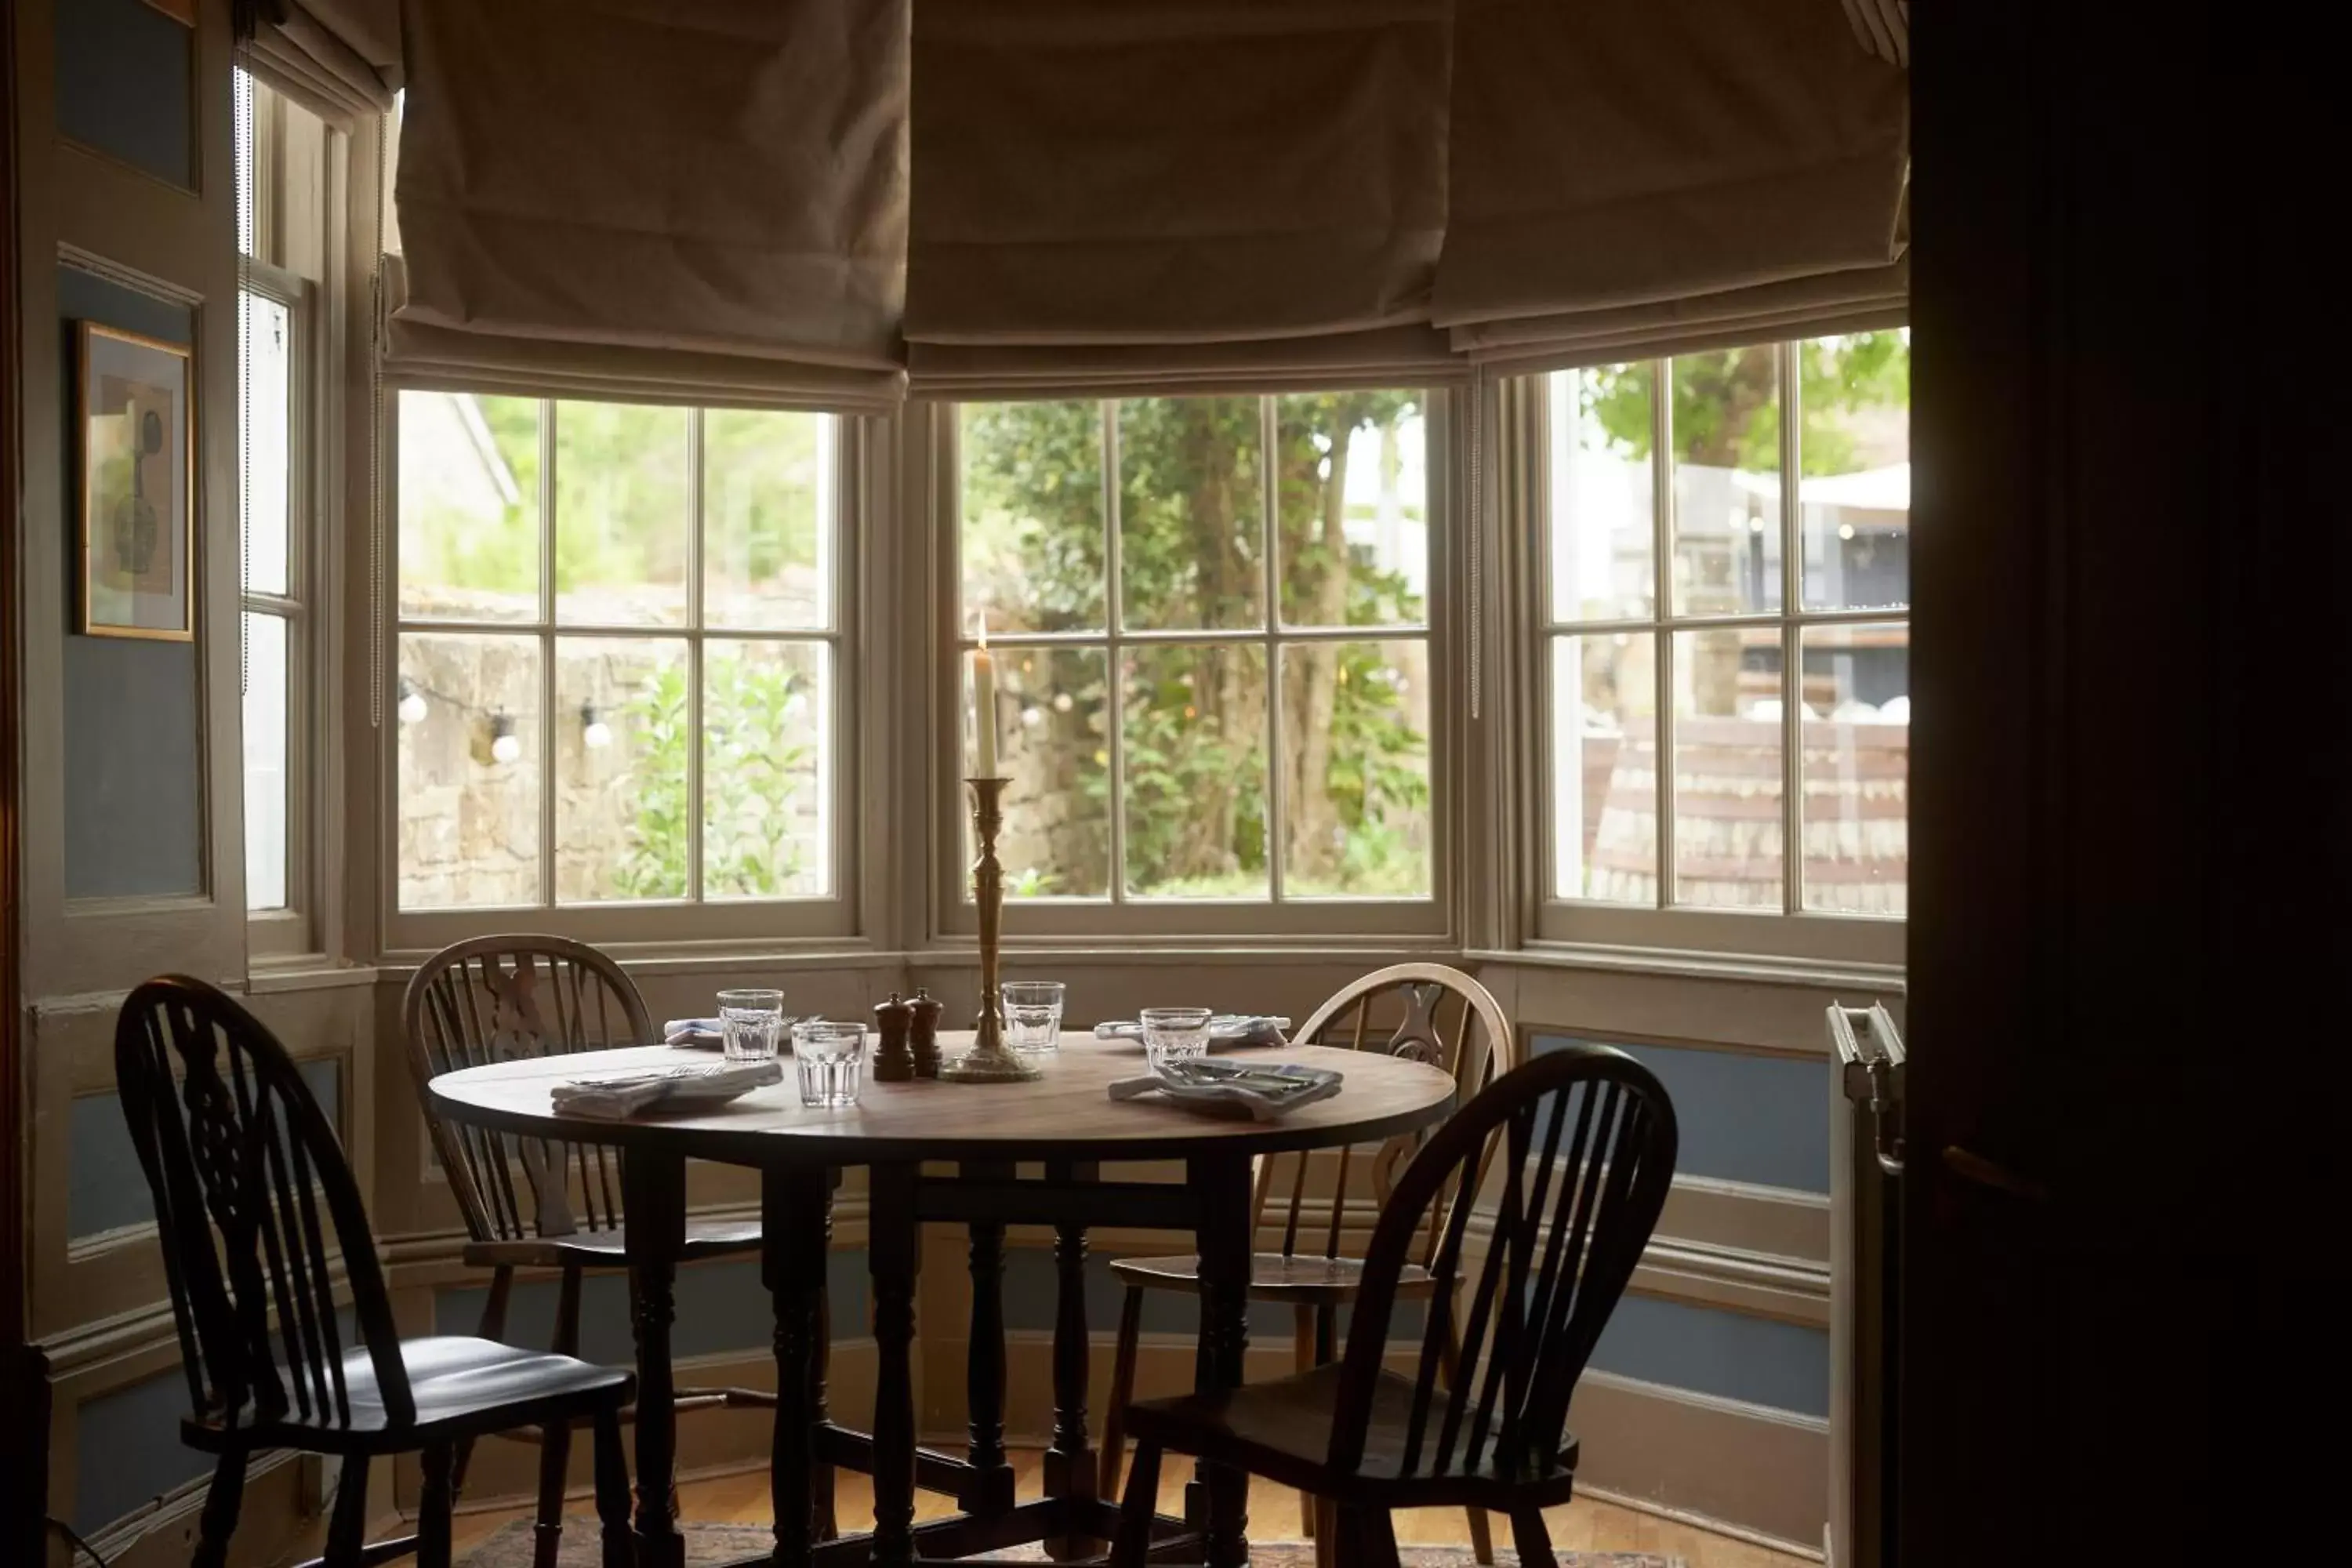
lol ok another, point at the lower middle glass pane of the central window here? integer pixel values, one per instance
(1196, 772)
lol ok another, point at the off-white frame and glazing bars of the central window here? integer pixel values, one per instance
(1123, 918)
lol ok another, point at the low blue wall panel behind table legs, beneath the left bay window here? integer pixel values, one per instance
(721, 1308)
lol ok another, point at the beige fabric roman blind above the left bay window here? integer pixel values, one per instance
(639, 196)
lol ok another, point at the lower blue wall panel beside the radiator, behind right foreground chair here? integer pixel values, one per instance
(1718, 1353)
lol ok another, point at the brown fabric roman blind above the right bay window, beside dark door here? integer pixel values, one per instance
(1617, 154)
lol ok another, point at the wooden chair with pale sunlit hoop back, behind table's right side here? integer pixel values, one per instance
(1424, 1012)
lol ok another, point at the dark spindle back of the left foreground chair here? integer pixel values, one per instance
(241, 1162)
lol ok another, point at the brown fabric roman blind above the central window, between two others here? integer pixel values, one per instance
(1184, 187)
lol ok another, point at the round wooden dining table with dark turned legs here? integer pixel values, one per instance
(989, 1132)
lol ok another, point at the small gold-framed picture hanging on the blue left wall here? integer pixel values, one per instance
(138, 429)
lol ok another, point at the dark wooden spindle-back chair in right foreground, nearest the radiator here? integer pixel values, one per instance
(1577, 1151)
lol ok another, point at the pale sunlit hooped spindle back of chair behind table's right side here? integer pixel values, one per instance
(1422, 1012)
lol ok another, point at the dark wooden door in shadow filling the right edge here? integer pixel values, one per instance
(2127, 925)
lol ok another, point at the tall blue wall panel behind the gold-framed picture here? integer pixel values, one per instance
(133, 709)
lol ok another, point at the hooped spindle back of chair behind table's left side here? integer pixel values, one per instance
(505, 998)
